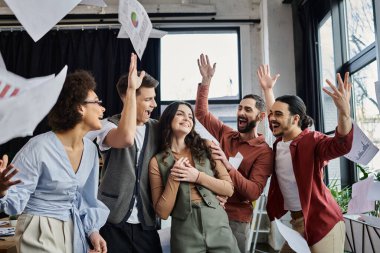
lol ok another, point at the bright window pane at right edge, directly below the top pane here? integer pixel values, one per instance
(365, 106)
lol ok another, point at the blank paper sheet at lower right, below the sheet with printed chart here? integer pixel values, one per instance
(360, 202)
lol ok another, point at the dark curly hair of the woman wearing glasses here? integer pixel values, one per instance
(65, 115)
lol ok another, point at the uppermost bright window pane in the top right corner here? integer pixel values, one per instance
(360, 25)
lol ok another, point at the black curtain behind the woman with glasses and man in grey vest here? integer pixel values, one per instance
(98, 51)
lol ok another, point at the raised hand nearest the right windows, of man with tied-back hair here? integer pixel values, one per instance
(341, 95)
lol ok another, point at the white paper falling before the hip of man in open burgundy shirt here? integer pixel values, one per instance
(294, 239)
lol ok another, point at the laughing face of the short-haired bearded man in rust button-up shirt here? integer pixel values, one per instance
(247, 115)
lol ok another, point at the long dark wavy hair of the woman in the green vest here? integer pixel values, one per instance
(193, 140)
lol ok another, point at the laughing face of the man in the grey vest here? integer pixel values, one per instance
(145, 104)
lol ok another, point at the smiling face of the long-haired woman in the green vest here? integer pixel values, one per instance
(183, 121)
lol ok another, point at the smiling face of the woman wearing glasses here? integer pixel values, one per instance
(92, 111)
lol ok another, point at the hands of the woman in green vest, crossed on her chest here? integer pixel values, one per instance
(183, 171)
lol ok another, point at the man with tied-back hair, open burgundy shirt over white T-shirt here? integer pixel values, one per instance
(300, 157)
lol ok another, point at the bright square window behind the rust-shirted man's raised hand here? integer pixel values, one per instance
(179, 70)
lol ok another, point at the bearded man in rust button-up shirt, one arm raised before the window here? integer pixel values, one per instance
(255, 169)
